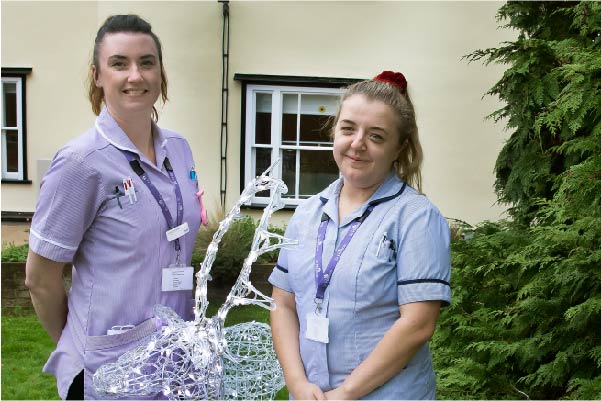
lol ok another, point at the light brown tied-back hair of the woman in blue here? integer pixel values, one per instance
(408, 163)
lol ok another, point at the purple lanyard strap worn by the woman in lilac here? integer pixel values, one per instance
(135, 165)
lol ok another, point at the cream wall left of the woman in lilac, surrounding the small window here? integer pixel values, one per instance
(53, 39)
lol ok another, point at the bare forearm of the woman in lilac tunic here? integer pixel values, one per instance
(45, 283)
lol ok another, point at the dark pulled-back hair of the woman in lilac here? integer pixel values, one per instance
(115, 24)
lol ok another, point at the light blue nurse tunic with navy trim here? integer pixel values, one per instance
(400, 254)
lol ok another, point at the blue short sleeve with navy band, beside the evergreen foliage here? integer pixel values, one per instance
(424, 260)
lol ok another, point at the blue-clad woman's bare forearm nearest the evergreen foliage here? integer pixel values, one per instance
(392, 353)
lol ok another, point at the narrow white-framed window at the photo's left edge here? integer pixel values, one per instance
(13, 135)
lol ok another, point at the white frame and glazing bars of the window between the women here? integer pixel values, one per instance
(276, 145)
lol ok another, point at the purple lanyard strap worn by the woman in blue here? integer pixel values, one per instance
(322, 279)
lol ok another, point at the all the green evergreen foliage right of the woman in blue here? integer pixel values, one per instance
(527, 291)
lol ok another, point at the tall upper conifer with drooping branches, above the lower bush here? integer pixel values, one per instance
(552, 94)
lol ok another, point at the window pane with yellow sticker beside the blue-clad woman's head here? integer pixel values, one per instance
(316, 111)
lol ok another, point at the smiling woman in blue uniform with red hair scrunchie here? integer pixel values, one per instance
(358, 299)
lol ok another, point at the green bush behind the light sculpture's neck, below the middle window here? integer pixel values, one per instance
(233, 249)
